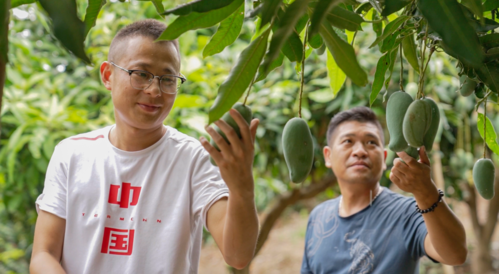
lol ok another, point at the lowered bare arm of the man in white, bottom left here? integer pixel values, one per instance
(47, 245)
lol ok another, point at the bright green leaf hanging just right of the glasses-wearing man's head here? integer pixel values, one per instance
(227, 33)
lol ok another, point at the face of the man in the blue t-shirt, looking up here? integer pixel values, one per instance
(356, 154)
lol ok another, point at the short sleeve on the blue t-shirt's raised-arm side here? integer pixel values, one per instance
(415, 229)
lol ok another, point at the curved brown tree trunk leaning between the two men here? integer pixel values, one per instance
(282, 202)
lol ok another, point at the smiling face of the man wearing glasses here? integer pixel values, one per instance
(141, 109)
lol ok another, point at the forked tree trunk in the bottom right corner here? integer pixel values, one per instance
(481, 261)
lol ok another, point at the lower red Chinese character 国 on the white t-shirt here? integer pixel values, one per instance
(118, 241)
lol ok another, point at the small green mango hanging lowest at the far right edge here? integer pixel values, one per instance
(483, 176)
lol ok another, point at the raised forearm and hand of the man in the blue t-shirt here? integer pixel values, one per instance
(446, 239)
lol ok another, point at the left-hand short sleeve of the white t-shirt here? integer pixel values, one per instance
(53, 197)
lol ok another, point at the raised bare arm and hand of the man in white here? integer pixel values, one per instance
(233, 222)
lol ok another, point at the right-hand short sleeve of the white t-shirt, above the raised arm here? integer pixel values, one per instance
(207, 185)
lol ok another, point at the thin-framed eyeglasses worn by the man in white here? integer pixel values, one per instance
(142, 80)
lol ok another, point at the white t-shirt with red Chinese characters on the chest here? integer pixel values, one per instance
(131, 212)
